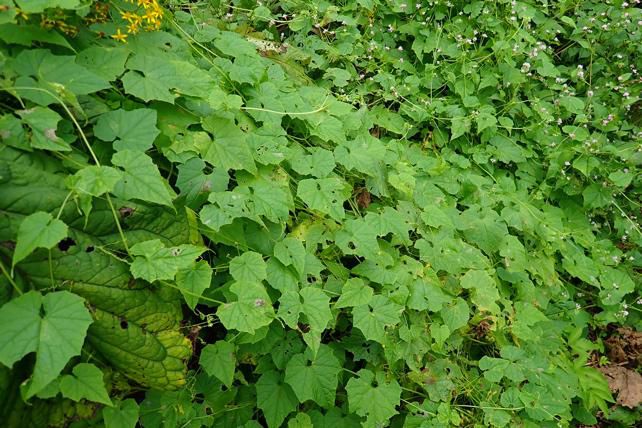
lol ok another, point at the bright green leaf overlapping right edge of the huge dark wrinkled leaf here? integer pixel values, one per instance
(157, 262)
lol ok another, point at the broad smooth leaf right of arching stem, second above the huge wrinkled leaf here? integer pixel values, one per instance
(129, 130)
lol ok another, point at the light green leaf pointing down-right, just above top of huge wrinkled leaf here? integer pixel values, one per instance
(141, 179)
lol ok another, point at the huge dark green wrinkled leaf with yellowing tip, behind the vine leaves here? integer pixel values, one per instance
(136, 328)
